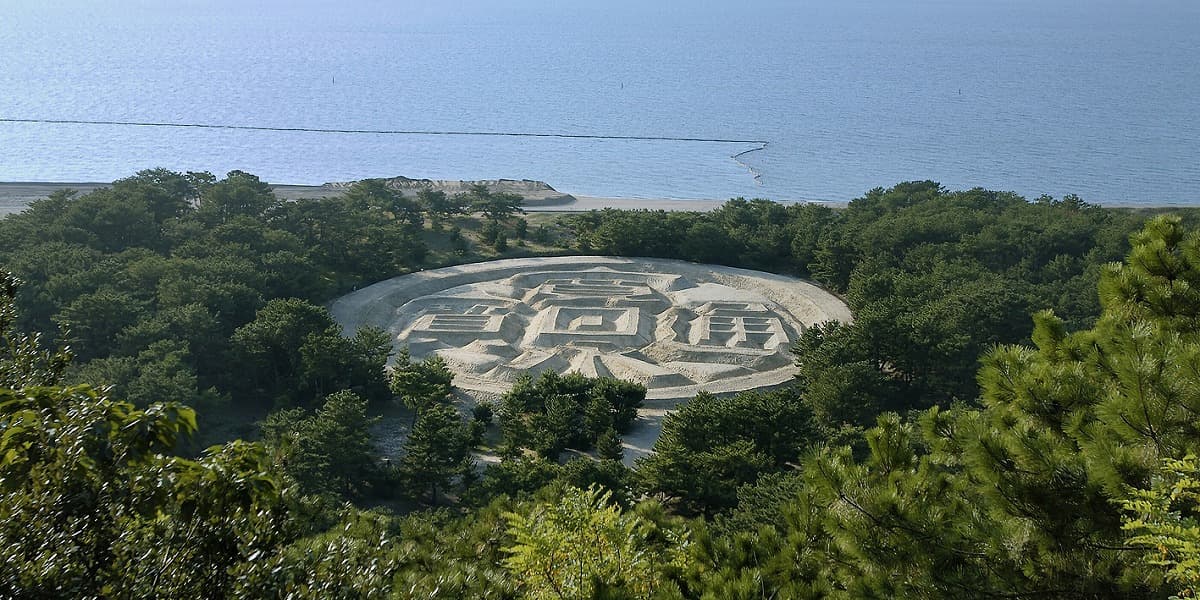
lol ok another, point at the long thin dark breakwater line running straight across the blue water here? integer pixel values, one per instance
(383, 133)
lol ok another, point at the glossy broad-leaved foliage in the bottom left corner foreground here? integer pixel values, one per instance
(94, 506)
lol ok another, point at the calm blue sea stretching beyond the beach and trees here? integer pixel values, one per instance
(1095, 98)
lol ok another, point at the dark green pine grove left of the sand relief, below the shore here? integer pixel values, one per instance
(149, 280)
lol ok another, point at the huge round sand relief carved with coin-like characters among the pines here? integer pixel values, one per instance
(679, 328)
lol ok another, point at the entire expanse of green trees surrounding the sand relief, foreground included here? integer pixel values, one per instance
(1011, 415)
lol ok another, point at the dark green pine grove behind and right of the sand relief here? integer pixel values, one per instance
(934, 278)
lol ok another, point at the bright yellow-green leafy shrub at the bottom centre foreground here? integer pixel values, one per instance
(583, 547)
